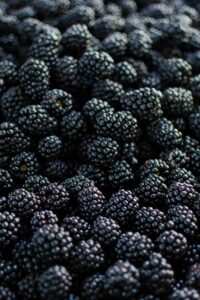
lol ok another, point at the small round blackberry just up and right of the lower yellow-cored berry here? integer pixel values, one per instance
(50, 147)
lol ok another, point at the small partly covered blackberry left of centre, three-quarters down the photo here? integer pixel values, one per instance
(78, 228)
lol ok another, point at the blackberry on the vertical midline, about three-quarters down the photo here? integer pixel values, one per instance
(105, 230)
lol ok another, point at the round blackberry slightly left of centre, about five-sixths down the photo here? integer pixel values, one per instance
(87, 256)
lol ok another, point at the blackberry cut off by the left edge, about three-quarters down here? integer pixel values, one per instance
(10, 226)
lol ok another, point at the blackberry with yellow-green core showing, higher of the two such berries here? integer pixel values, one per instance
(57, 102)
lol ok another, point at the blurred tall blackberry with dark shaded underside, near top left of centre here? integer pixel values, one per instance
(76, 39)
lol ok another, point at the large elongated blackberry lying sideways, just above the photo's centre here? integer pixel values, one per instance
(120, 125)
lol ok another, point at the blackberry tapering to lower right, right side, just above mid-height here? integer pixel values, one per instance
(163, 133)
